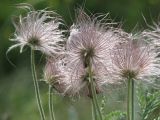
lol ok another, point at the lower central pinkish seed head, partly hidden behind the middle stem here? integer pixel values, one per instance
(79, 83)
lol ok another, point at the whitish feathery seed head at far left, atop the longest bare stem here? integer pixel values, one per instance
(39, 30)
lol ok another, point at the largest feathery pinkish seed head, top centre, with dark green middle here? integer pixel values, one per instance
(90, 41)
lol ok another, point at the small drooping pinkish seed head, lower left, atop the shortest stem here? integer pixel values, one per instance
(55, 75)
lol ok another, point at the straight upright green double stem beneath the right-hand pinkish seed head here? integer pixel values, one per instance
(130, 101)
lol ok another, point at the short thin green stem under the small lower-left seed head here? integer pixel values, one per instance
(51, 111)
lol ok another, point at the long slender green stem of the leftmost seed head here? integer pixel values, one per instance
(36, 86)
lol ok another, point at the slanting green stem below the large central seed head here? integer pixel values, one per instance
(95, 100)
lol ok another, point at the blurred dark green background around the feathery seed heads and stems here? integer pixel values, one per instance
(17, 98)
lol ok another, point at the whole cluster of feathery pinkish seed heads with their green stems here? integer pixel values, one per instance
(95, 54)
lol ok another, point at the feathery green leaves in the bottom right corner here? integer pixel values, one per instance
(149, 102)
